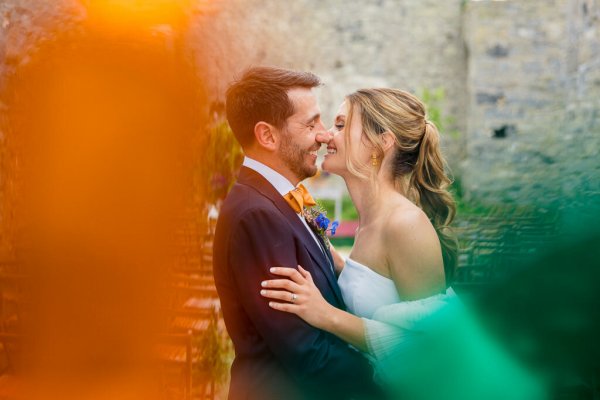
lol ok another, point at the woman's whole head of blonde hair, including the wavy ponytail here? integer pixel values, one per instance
(418, 167)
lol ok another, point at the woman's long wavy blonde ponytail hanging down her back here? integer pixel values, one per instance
(430, 183)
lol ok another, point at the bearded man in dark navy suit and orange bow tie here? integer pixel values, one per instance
(274, 115)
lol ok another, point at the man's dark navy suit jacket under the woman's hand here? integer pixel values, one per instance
(278, 355)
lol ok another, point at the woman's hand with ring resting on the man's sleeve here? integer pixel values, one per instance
(297, 294)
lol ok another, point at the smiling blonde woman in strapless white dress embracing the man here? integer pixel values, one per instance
(401, 312)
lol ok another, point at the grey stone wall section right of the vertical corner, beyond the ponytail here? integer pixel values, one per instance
(533, 131)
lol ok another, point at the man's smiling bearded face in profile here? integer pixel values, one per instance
(299, 142)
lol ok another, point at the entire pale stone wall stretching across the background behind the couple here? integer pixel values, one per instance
(522, 78)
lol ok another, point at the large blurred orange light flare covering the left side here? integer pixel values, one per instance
(99, 142)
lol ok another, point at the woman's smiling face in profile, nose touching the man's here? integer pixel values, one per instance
(335, 160)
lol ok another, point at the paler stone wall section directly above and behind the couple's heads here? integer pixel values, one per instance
(409, 44)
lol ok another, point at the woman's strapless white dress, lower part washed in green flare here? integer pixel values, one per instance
(413, 344)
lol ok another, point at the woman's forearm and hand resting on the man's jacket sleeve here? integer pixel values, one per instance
(309, 304)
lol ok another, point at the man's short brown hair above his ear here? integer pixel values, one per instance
(261, 95)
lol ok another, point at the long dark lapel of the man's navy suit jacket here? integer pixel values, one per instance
(324, 260)
